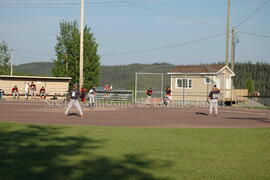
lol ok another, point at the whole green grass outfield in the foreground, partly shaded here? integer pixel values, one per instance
(66, 152)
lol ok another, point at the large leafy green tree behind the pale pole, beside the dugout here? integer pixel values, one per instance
(68, 55)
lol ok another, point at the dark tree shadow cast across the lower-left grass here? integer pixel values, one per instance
(40, 152)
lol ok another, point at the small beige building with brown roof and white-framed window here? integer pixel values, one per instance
(193, 83)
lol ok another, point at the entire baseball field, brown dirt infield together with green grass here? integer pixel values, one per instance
(38, 142)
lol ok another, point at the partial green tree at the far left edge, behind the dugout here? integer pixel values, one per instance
(4, 58)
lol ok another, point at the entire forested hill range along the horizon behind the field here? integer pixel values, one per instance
(123, 76)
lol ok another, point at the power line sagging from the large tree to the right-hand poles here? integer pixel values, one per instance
(164, 47)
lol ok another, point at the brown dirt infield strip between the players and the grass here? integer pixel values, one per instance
(41, 113)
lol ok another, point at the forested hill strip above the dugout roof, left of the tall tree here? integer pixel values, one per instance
(36, 68)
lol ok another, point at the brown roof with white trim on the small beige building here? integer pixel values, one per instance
(198, 69)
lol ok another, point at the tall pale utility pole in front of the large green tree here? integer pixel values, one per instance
(81, 44)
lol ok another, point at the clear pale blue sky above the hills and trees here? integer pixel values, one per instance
(140, 31)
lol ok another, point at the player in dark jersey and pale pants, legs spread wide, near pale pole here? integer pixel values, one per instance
(74, 95)
